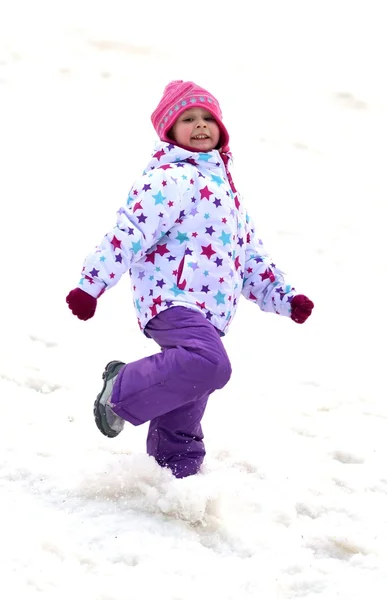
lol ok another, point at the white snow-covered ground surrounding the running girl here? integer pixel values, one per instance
(292, 499)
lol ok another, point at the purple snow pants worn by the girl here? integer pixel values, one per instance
(171, 388)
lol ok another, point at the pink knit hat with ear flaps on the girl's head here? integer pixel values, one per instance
(180, 96)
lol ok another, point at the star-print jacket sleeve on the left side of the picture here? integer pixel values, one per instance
(152, 207)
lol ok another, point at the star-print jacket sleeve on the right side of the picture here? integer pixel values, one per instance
(263, 282)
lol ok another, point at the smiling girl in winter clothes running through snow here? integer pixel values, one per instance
(191, 252)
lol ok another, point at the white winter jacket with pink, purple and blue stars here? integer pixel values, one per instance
(186, 240)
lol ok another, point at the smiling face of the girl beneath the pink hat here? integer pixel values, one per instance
(196, 129)
